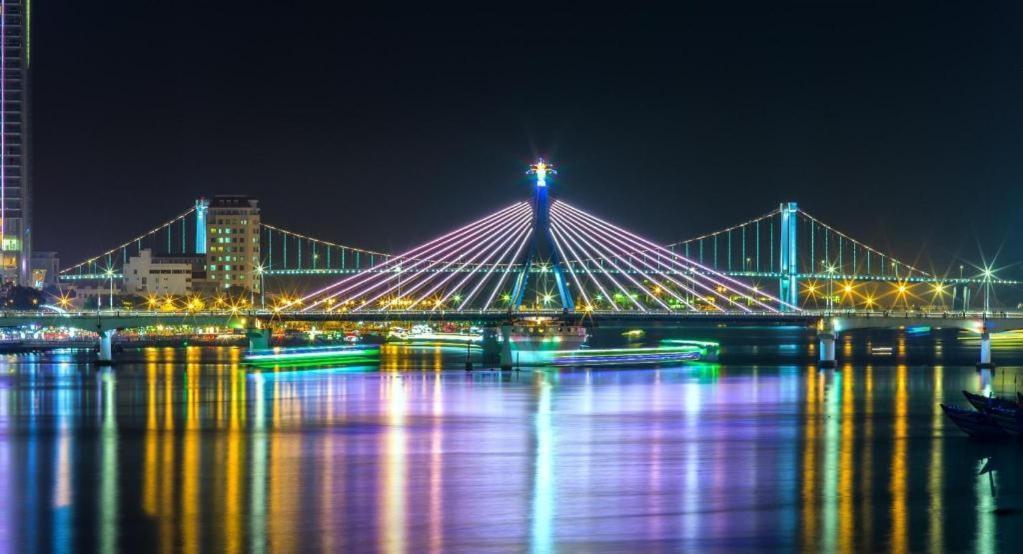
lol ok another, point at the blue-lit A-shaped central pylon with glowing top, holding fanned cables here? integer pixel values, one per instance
(543, 248)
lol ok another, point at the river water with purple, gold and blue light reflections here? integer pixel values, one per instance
(184, 450)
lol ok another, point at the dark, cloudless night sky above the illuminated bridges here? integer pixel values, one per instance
(901, 125)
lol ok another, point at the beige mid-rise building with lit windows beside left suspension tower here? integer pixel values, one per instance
(233, 255)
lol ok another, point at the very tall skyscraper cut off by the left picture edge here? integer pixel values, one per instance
(16, 210)
